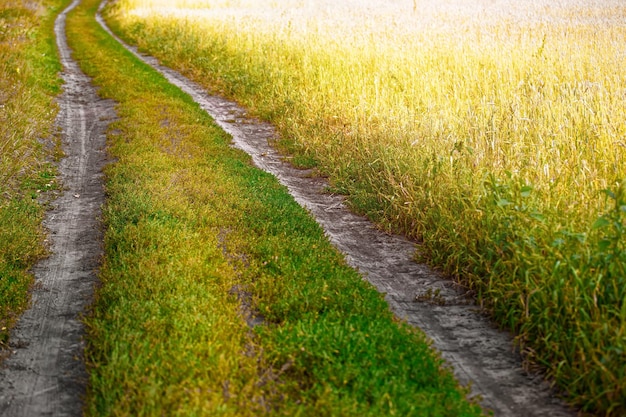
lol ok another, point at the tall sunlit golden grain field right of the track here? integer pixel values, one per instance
(491, 131)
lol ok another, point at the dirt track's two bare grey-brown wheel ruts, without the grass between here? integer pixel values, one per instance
(46, 376)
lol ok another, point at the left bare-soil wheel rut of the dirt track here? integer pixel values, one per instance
(45, 373)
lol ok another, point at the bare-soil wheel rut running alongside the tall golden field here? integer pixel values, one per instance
(479, 353)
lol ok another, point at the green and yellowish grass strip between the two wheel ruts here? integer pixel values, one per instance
(196, 241)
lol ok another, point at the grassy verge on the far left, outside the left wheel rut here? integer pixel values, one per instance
(29, 82)
